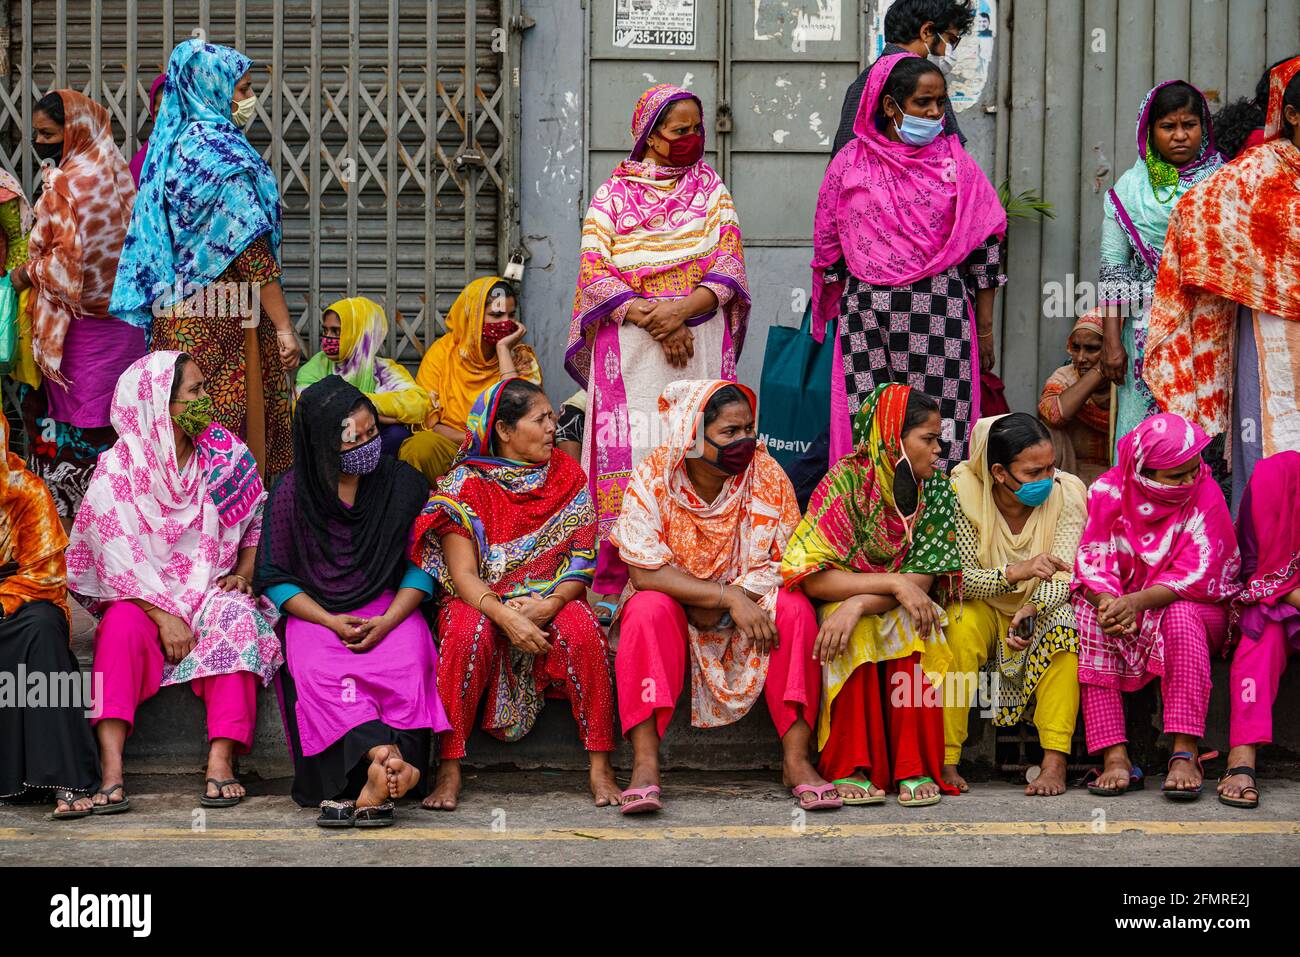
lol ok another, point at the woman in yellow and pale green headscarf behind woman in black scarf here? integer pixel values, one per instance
(353, 332)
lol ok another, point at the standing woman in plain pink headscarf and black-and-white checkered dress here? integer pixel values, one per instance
(908, 249)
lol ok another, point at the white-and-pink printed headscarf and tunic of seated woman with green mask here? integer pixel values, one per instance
(149, 530)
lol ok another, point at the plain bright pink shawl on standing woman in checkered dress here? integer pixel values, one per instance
(895, 213)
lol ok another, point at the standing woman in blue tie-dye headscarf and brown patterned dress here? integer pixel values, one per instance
(201, 266)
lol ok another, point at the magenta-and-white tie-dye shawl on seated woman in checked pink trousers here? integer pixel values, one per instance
(1141, 535)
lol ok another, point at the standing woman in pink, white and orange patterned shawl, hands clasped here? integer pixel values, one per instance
(662, 296)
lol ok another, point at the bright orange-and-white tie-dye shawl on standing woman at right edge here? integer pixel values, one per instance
(1234, 240)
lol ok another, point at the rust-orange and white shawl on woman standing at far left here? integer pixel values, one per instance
(81, 226)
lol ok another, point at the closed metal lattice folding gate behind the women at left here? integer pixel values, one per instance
(393, 188)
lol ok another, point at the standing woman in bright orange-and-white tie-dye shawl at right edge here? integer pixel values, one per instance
(1233, 265)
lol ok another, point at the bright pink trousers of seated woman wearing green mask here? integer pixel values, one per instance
(129, 662)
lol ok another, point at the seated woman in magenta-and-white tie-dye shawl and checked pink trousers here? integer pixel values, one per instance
(1156, 571)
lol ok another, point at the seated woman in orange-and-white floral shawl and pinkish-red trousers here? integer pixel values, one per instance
(704, 523)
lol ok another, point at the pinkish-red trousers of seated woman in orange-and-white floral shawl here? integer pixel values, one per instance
(653, 644)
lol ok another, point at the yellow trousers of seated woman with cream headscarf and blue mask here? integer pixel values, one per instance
(972, 636)
